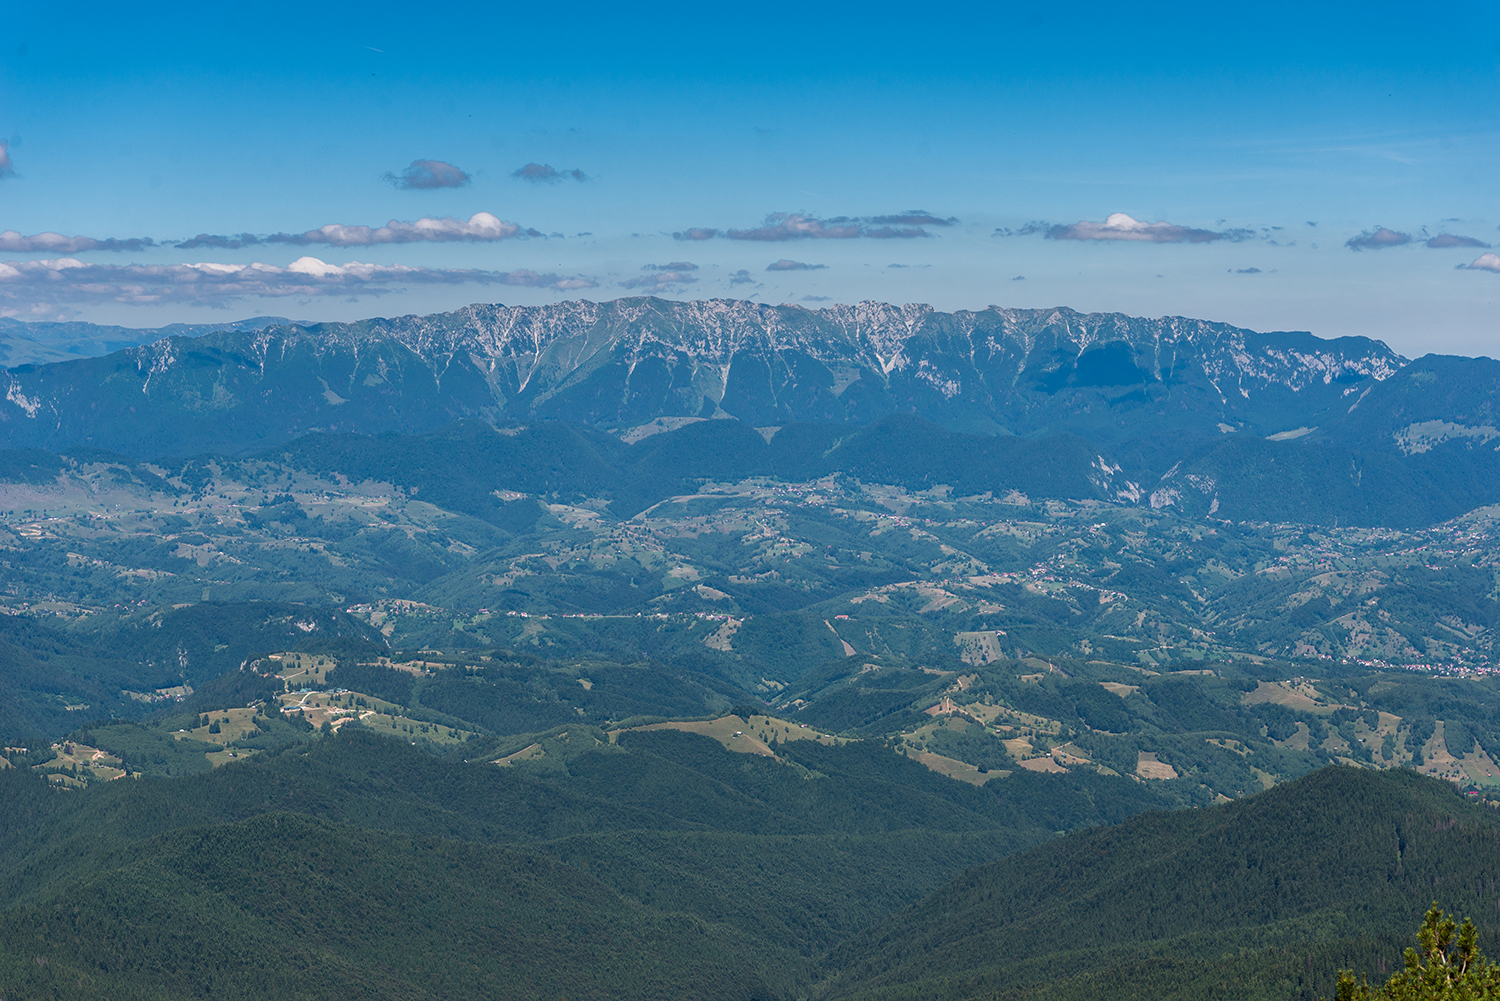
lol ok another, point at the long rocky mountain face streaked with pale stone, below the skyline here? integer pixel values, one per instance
(1142, 391)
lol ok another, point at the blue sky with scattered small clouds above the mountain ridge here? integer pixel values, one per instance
(959, 155)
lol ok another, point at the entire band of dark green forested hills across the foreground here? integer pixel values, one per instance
(668, 867)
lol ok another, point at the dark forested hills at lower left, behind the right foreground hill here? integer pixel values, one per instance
(659, 865)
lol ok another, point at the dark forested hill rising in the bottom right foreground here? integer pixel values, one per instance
(1337, 868)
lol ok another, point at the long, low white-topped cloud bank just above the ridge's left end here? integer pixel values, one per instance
(68, 281)
